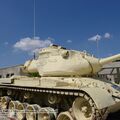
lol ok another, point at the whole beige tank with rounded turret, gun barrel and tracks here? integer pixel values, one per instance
(60, 86)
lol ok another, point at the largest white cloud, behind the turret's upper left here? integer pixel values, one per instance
(31, 45)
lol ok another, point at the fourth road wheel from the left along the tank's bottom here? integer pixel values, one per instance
(31, 112)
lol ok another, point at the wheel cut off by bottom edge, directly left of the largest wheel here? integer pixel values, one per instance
(64, 116)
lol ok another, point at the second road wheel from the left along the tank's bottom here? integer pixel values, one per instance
(13, 109)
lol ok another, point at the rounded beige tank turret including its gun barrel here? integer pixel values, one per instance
(58, 61)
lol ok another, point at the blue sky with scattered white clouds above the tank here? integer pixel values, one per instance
(74, 24)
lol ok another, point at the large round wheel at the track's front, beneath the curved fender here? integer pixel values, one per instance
(82, 109)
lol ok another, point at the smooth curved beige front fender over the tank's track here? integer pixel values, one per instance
(101, 97)
